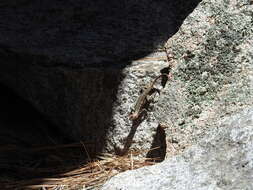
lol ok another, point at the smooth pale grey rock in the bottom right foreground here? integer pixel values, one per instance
(221, 160)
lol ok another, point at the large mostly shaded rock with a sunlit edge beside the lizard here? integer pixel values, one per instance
(72, 59)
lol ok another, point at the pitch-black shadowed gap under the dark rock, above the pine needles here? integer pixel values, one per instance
(30, 146)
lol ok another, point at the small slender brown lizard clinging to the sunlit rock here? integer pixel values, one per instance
(143, 99)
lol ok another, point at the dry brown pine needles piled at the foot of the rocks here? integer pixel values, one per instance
(92, 174)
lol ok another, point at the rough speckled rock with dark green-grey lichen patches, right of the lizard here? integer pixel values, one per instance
(213, 71)
